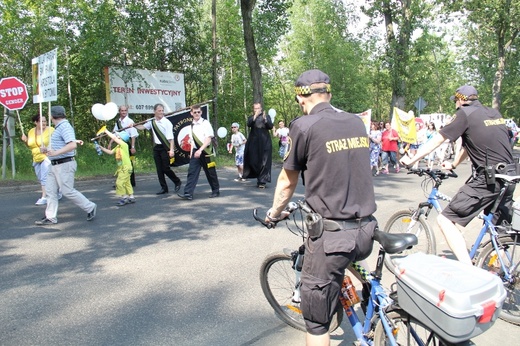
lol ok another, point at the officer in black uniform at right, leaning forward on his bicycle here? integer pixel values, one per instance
(485, 141)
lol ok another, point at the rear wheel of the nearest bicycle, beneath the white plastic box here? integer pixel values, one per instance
(407, 331)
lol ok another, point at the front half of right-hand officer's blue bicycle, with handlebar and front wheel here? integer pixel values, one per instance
(413, 221)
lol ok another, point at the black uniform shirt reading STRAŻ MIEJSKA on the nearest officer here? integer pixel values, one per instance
(332, 150)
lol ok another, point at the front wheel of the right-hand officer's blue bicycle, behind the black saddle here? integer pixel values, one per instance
(403, 222)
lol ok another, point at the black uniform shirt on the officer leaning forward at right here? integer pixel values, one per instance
(483, 130)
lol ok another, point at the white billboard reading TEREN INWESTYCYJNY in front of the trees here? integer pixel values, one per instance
(142, 89)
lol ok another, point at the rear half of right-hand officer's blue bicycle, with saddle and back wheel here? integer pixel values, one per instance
(501, 253)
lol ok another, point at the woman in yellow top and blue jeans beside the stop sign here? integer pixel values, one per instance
(39, 137)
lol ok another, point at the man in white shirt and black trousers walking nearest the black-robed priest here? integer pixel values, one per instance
(201, 156)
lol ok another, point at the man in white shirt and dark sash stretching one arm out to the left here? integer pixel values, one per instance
(164, 149)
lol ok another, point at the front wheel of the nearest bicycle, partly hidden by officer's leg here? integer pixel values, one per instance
(277, 278)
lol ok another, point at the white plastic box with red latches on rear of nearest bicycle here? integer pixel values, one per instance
(455, 300)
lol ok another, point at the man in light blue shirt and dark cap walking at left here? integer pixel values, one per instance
(63, 168)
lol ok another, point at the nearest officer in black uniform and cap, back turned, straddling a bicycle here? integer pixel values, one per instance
(332, 150)
